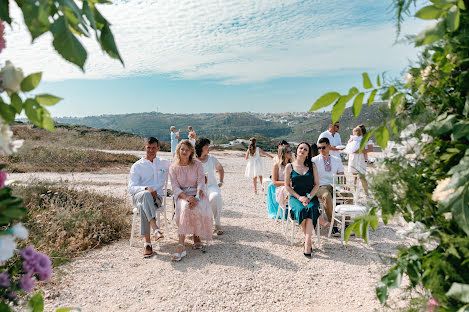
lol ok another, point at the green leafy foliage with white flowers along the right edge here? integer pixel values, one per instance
(425, 178)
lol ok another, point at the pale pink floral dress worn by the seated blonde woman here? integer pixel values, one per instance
(189, 180)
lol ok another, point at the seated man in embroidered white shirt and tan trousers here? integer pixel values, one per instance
(327, 166)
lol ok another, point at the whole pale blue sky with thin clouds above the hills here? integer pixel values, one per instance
(219, 56)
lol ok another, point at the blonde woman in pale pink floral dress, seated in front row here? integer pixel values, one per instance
(193, 212)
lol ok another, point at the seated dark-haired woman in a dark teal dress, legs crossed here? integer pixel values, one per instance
(302, 182)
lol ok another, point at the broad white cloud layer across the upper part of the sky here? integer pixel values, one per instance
(232, 41)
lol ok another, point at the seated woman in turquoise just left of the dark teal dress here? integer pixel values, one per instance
(276, 192)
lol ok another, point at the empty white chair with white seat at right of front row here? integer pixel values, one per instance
(346, 188)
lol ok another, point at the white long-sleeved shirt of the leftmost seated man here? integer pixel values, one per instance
(148, 174)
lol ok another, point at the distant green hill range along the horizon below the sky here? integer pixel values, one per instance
(222, 127)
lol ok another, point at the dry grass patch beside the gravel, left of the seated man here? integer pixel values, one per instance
(64, 222)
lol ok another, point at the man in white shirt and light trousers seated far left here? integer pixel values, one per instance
(147, 178)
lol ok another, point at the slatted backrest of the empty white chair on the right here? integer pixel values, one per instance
(345, 187)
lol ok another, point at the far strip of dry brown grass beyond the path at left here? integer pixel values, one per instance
(57, 159)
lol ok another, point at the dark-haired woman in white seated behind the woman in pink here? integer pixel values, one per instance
(211, 164)
